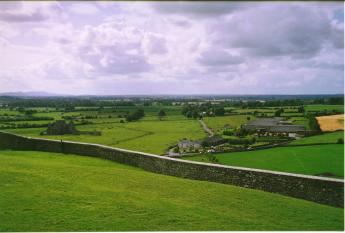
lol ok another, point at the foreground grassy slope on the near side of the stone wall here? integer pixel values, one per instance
(54, 192)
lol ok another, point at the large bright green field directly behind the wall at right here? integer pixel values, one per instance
(327, 160)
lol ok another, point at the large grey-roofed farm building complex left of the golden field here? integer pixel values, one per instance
(274, 126)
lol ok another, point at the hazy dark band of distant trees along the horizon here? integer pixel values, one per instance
(243, 102)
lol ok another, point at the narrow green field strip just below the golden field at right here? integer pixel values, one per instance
(323, 138)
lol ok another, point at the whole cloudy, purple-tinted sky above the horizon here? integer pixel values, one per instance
(117, 48)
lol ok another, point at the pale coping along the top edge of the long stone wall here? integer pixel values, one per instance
(192, 162)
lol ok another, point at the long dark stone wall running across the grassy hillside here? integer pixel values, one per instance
(317, 189)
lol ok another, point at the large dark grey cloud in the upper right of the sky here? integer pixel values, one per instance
(279, 30)
